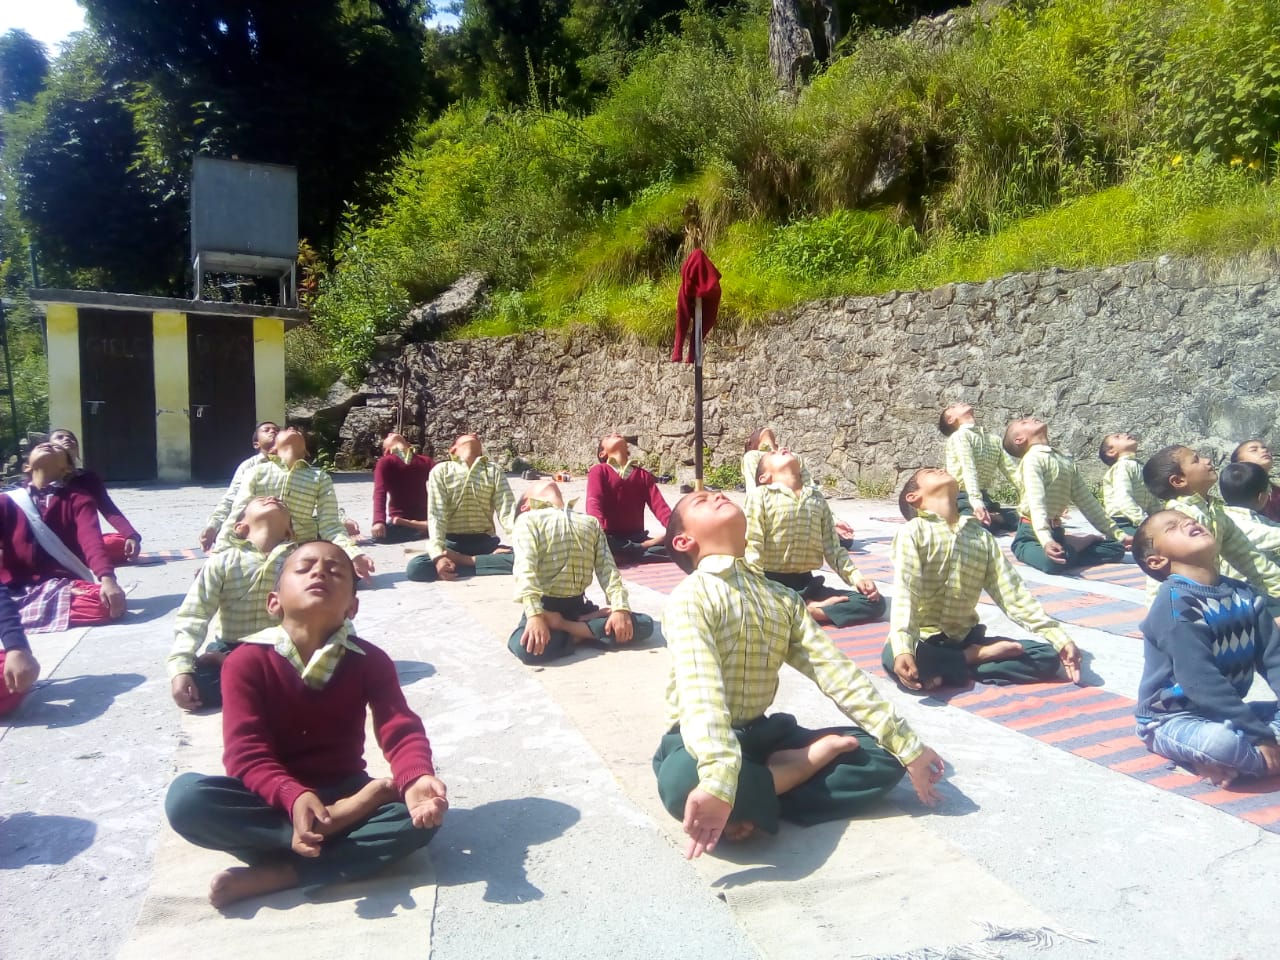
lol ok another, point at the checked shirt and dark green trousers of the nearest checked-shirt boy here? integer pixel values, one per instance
(729, 633)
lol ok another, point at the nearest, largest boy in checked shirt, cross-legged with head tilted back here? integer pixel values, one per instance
(725, 767)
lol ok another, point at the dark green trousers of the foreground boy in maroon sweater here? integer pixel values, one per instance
(221, 813)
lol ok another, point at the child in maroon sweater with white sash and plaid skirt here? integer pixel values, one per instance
(77, 589)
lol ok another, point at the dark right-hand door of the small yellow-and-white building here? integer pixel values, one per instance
(223, 399)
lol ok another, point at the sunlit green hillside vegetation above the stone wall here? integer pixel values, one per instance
(1064, 132)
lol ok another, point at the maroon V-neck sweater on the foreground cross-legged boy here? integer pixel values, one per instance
(282, 738)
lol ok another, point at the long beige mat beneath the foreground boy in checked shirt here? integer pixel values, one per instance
(879, 886)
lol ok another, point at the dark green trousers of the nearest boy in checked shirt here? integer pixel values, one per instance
(843, 789)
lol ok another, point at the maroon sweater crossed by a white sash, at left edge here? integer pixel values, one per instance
(70, 514)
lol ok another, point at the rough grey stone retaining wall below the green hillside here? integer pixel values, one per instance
(1171, 350)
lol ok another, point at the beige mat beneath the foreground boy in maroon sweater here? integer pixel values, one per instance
(177, 921)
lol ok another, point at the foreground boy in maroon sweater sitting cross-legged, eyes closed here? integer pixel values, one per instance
(298, 804)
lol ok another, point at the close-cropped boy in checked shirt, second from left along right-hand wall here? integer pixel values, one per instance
(1050, 484)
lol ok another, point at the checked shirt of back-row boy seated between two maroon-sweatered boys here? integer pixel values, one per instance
(463, 500)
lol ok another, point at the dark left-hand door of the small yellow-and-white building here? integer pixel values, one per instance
(118, 395)
